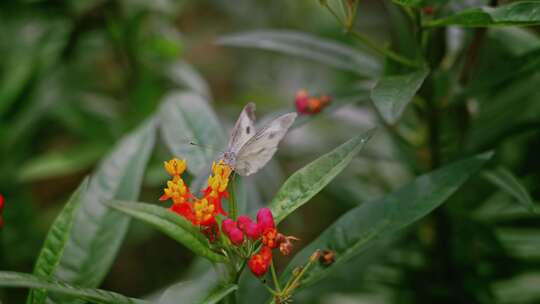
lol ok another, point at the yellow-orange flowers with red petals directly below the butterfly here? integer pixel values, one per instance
(200, 211)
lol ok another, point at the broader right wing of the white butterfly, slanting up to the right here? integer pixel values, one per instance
(260, 148)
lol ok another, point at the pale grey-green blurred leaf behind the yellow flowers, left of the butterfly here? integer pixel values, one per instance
(186, 117)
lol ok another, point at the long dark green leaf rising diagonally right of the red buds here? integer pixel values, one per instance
(360, 228)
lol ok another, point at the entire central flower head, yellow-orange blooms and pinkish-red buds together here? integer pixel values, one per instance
(244, 234)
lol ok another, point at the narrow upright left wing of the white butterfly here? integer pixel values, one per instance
(244, 129)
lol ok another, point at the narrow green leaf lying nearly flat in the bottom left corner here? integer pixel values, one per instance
(16, 279)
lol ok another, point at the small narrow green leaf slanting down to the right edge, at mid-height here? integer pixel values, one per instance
(505, 180)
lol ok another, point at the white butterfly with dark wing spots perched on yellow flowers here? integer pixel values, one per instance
(249, 150)
